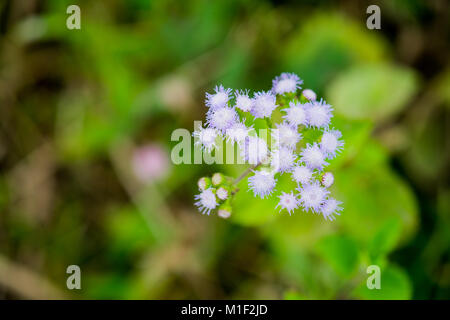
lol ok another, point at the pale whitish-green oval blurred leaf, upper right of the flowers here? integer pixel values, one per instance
(372, 91)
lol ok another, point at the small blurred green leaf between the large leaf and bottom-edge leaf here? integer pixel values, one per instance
(340, 252)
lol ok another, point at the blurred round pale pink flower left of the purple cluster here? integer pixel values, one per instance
(150, 162)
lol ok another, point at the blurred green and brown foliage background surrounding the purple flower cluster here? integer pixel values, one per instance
(85, 171)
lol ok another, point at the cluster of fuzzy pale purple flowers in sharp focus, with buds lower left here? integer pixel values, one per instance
(231, 115)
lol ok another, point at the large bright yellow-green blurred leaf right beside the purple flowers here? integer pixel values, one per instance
(373, 194)
